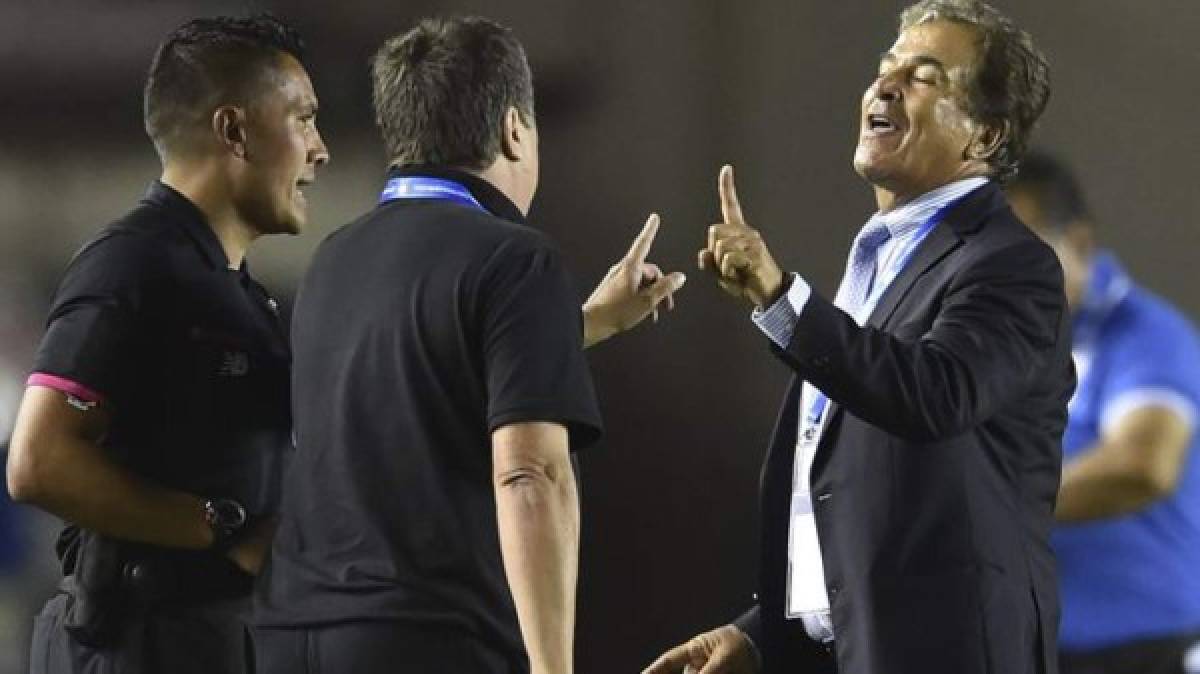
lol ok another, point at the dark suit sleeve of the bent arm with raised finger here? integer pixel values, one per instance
(997, 328)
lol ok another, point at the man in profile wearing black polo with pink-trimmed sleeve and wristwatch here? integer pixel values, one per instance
(157, 420)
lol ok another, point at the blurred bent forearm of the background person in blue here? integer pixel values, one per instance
(1100, 485)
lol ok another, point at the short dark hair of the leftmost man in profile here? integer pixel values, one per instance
(207, 63)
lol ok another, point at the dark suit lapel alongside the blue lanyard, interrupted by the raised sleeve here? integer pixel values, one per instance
(945, 238)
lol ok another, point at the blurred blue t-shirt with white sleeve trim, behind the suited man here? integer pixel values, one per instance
(1137, 576)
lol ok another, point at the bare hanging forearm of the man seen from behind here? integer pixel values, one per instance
(539, 527)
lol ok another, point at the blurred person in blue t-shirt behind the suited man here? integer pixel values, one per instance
(1129, 540)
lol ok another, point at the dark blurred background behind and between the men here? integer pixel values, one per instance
(639, 106)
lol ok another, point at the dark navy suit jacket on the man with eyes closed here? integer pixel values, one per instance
(934, 483)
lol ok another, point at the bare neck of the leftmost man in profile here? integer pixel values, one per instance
(208, 189)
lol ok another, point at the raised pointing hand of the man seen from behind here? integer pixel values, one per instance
(632, 291)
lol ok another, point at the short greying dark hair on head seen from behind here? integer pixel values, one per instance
(443, 88)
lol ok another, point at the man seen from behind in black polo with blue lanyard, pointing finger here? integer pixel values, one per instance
(430, 520)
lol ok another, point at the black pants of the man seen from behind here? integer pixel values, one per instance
(370, 648)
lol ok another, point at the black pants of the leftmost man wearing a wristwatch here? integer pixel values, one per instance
(209, 639)
